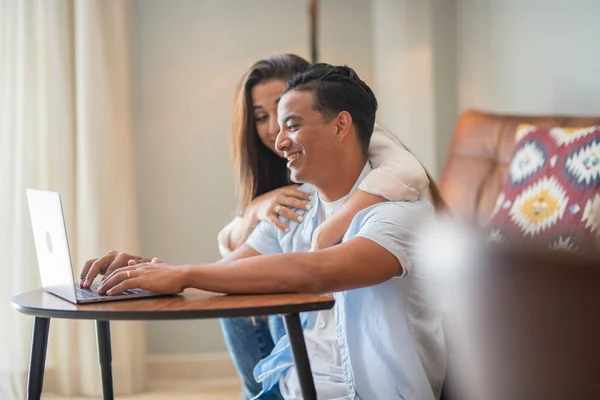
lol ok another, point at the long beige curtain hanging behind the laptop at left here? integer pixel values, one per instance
(66, 125)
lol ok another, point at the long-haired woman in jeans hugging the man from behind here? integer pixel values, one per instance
(268, 195)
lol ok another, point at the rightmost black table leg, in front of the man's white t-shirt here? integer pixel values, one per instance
(294, 330)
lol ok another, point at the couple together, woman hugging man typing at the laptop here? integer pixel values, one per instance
(362, 189)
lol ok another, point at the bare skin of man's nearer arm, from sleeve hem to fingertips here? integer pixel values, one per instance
(357, 263)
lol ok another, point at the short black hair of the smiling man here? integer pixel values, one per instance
(336, 89)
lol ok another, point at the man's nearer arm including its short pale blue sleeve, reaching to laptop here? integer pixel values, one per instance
(379, 251)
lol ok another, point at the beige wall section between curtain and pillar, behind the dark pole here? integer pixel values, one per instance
(188, 56)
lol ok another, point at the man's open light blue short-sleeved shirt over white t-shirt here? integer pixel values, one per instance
(389, 335)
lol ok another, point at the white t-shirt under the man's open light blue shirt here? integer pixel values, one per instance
(321, 344)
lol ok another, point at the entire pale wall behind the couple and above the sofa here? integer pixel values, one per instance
(425, 59)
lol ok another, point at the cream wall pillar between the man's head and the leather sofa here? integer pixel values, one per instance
(414, 64)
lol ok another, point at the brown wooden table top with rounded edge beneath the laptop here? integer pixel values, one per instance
(192, 304)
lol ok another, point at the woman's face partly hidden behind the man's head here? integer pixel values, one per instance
(265, 97)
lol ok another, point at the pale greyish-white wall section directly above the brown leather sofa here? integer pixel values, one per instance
(532, 56)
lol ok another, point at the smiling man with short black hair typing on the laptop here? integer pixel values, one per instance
(383, 340)
